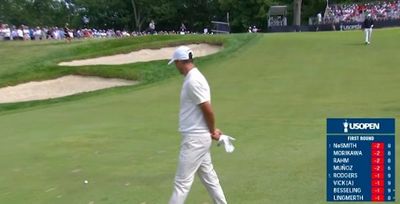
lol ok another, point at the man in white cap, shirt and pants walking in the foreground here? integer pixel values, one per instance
(197, 127)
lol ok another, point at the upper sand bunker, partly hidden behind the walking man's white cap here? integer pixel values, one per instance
(144, 55)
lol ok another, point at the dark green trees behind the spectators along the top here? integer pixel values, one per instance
(167, 14)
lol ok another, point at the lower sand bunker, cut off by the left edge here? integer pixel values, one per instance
(64, 86)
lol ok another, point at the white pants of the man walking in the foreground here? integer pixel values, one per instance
(194, 157)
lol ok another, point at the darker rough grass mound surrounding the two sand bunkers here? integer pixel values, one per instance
(36, 61)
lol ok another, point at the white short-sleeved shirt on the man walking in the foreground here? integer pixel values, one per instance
(195, 90)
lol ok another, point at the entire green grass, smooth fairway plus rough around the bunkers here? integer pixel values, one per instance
(272, 92)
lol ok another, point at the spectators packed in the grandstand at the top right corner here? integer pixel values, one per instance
(380, 10)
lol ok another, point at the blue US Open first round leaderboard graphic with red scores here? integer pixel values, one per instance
(361, 159)
